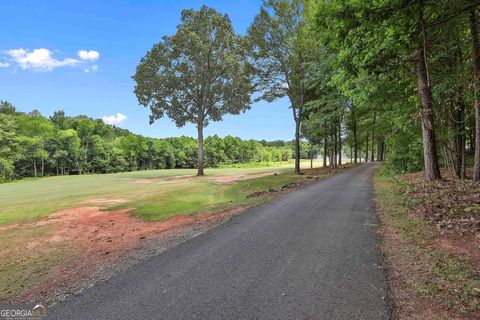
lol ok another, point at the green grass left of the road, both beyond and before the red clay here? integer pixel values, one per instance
(155, 195)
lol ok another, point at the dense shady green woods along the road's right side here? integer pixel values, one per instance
(398, 80)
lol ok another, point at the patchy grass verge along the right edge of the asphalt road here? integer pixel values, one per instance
(422, 276)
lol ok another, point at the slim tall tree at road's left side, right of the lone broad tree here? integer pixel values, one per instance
(280, 47)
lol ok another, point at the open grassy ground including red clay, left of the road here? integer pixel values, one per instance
(35, 257)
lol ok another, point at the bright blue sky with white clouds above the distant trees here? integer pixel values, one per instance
(112, 37)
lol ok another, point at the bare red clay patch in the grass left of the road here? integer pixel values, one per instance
(100, 239)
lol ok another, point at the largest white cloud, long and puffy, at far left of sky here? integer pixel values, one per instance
(38, 59)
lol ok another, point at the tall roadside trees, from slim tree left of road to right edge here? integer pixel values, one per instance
(396, 80)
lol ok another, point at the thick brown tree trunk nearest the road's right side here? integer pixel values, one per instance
(430, 158)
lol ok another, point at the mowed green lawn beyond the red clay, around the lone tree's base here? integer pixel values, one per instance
(155, 194)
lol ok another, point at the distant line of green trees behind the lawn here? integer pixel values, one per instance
(32, 145)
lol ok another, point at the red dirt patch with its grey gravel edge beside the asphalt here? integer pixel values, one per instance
(103, 241)
